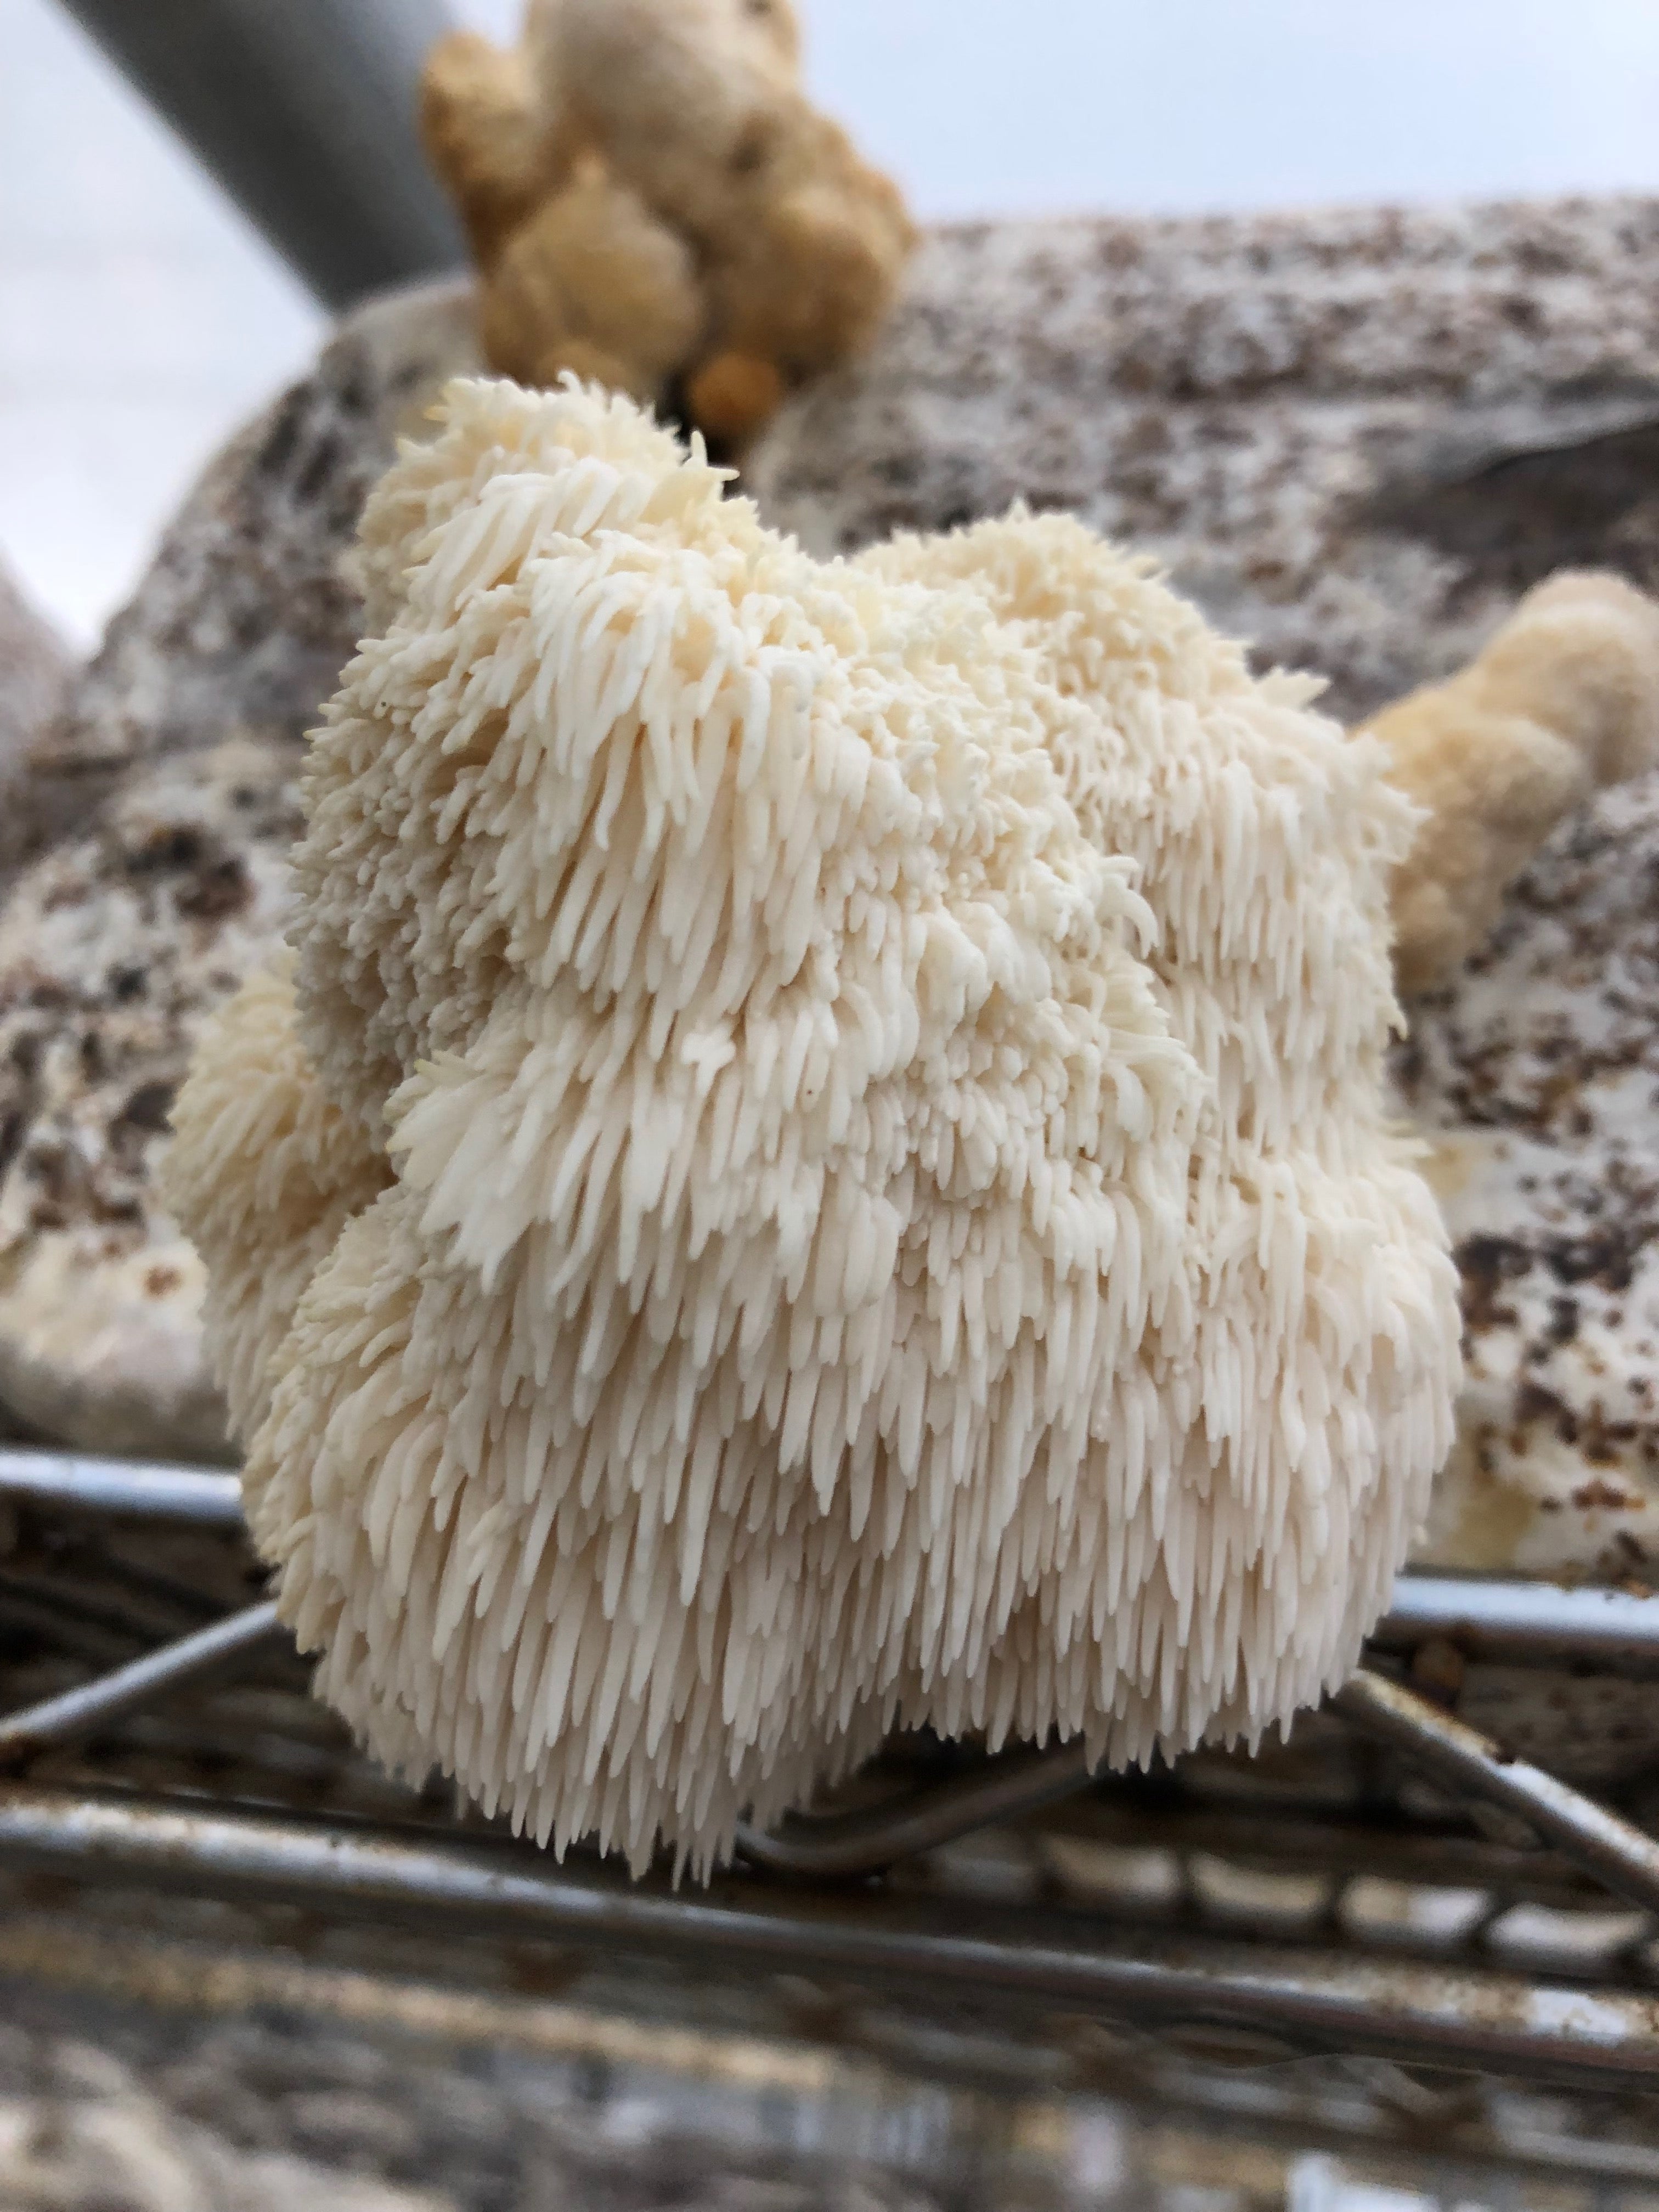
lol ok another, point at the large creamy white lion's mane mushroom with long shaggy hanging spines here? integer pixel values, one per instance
(844, 1105)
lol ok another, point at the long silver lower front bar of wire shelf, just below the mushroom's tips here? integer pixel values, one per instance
(1304, 2003)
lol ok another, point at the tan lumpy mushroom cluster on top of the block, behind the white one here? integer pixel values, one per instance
(656, 205)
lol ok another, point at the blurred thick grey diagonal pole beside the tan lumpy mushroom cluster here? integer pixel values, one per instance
(306, 114)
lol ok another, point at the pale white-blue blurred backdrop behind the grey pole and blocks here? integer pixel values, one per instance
(140, 317)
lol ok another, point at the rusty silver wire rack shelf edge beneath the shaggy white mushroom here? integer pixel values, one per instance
(1448, 1872)
